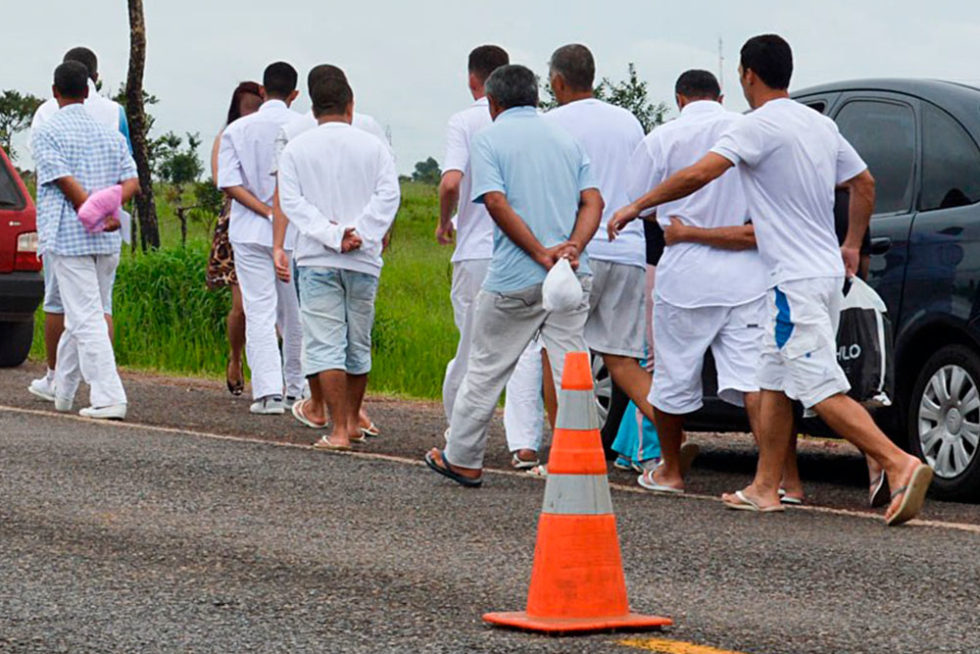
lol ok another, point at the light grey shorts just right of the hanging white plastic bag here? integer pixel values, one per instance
(616, 304)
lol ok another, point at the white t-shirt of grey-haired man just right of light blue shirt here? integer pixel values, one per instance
(609, 135)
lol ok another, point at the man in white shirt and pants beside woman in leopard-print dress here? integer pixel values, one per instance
(244, 160)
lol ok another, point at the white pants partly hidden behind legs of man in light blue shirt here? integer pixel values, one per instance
(523, 404)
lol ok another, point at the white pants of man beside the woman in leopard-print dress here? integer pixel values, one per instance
(269, 302)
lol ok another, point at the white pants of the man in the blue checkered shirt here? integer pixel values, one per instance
(85, 350)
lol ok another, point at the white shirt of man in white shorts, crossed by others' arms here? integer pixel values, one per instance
(691, 275)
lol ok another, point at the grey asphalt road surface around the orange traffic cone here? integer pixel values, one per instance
(148, 538)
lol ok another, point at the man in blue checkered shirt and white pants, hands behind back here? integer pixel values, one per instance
(76, 155)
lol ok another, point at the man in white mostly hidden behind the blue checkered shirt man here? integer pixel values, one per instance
(113, 116)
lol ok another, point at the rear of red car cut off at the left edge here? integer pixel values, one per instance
(21, 283)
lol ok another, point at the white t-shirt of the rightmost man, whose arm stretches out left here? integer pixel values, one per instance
(791, 158)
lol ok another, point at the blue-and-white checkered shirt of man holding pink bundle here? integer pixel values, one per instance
(73, 144)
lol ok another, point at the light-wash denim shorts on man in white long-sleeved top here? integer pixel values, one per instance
(337, 314)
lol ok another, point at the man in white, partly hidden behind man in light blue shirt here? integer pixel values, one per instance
(468, 223)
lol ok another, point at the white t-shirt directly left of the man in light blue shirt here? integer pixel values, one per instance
(474, 226)
